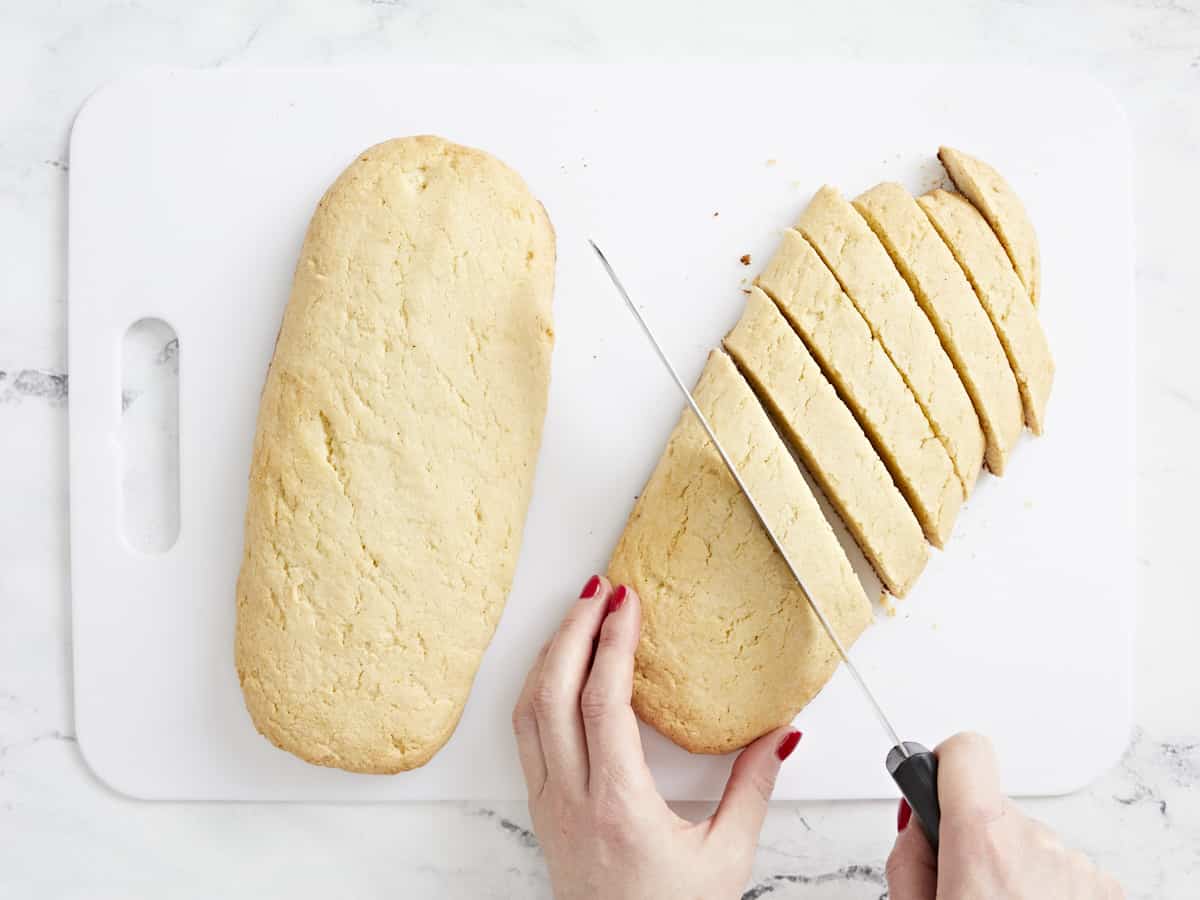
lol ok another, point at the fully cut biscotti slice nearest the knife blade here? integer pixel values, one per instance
(831, 442)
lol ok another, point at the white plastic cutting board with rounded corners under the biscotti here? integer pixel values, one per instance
(190, 195)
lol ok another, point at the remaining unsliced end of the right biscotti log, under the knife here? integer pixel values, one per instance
(730, 649)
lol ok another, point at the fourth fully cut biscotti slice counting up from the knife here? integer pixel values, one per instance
(953, 309)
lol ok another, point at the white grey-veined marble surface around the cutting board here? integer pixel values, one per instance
(63, 835)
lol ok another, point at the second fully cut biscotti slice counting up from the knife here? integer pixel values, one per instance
(855, 362)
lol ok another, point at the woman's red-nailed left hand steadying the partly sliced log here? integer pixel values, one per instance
(604, 829)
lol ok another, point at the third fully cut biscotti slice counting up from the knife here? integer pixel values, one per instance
(867, 274)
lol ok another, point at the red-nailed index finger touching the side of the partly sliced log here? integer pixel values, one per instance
(615, 746)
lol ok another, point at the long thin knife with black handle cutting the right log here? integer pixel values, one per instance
(910, 765)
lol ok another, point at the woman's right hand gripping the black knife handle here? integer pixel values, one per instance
(988, 847)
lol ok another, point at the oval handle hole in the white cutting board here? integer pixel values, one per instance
(149, 436)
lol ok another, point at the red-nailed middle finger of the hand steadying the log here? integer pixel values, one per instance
(556, 697)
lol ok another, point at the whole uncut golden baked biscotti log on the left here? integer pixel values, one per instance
(395, 454)
